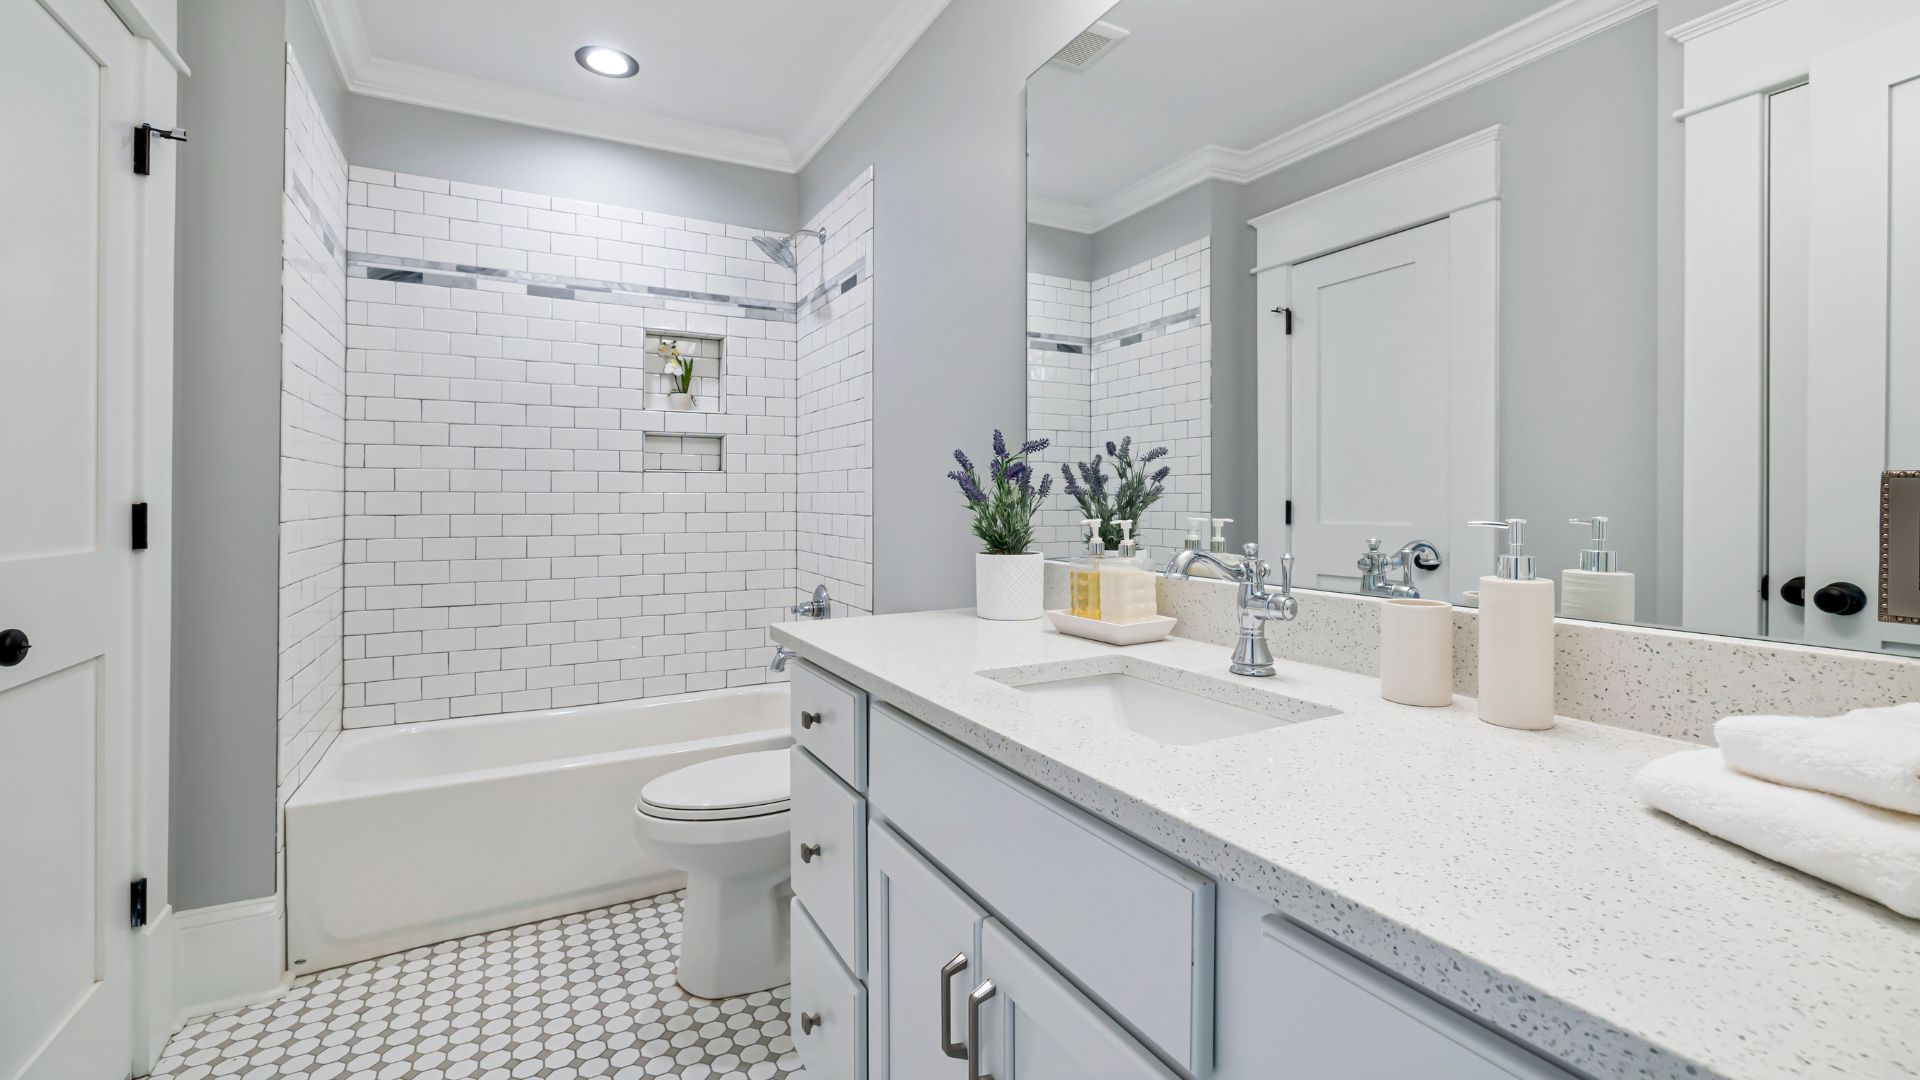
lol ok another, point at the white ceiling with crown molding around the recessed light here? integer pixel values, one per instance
(750, 82)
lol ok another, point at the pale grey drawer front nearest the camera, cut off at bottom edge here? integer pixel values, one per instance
(1337, 1016)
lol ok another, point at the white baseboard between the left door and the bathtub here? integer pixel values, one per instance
(226, 956)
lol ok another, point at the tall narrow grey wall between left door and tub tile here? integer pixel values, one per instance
(228, 453)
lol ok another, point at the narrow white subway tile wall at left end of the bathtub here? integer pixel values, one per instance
(312, 435)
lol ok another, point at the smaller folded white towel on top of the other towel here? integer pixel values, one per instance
(1869, 754)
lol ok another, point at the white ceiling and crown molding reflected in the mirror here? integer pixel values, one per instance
(1239, 87)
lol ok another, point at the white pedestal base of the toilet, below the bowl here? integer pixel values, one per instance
(734, 933)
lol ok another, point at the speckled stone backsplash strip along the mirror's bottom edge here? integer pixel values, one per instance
(1643, 679)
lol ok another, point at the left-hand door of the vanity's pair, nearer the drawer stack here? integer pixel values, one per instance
(923, 946)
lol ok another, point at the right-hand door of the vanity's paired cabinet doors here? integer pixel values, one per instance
(1040, 1027)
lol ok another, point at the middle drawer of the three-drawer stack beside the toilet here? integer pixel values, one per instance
(828, 856)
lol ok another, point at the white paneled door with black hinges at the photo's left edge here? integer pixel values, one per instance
(66, 474)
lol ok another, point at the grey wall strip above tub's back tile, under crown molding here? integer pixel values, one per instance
(431, 143)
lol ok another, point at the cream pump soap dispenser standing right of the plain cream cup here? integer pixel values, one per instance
(1516, 637)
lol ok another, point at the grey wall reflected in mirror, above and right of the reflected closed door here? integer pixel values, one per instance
(1579, 285)
